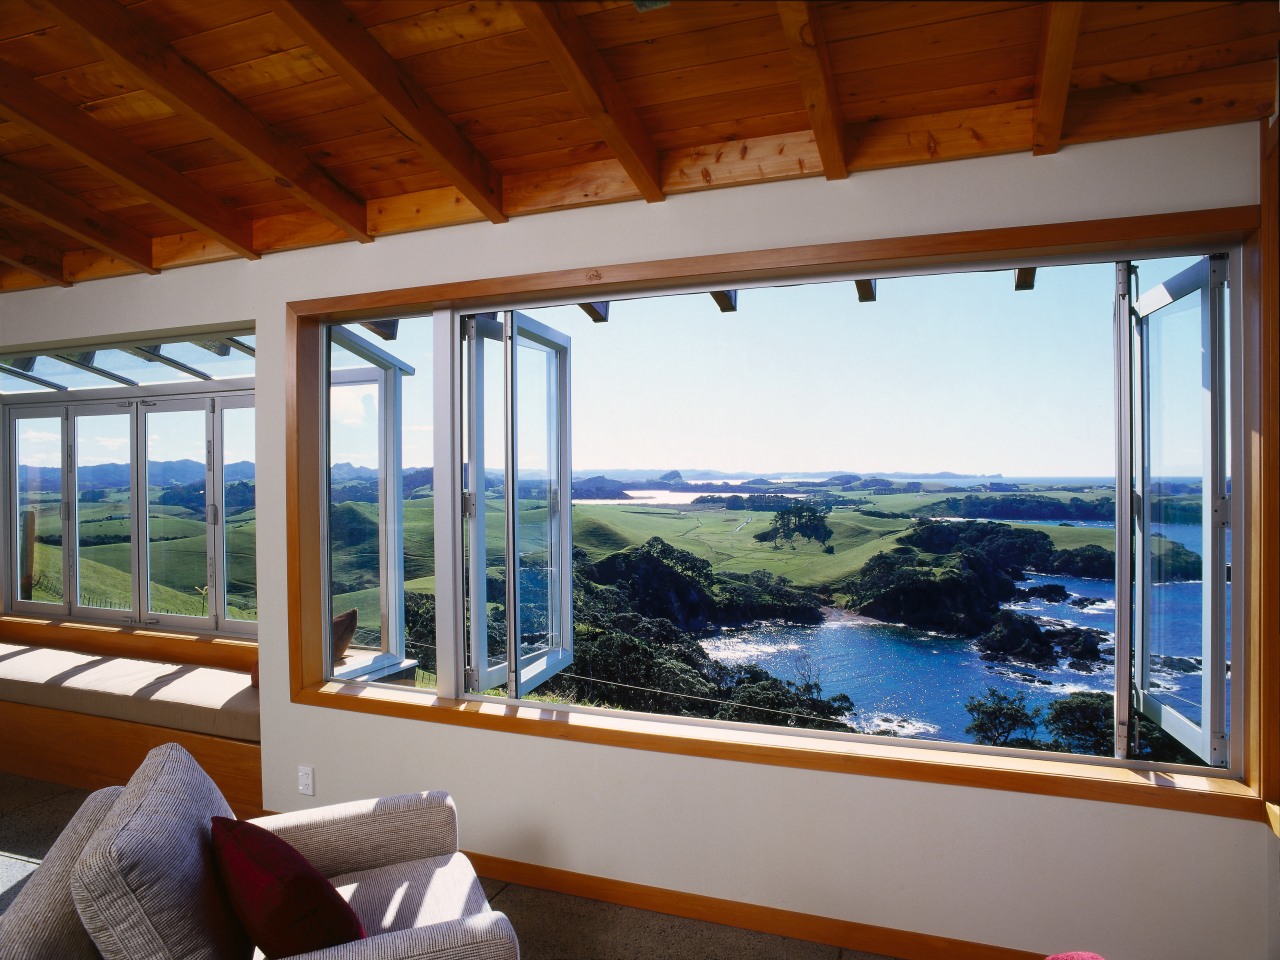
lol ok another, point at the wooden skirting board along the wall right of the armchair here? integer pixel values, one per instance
(849, 935)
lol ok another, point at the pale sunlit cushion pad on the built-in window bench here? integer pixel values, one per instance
(200, 700)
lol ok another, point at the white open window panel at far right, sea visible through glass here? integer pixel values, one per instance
(1174, 646)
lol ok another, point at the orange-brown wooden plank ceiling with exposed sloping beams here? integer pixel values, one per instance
(143, 135)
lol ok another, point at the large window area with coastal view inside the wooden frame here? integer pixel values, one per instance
(959, 606)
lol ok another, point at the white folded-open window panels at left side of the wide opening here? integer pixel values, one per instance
(518, 495)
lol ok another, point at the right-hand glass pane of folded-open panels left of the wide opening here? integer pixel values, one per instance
(537, 476)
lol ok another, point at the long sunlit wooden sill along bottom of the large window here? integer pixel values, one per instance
(1082, 780)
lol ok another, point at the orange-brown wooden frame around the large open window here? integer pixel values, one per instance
(1254, 797)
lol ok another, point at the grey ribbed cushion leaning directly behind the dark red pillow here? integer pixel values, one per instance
(145, 886)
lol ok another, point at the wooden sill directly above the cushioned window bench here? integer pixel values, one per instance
(198, 650)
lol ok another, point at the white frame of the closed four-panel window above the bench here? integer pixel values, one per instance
(129, 401)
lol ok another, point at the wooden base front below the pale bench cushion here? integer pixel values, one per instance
(80, 751)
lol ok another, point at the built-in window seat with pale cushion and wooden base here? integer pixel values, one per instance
(88, 720)
